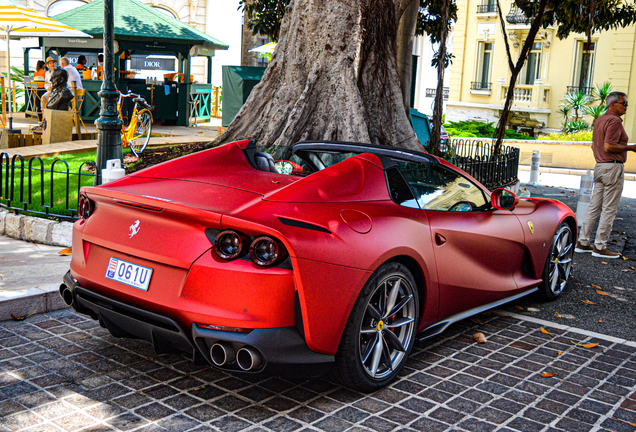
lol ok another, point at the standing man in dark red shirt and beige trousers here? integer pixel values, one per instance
(609, 144)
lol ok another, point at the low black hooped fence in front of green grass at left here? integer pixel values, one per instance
(29, 187)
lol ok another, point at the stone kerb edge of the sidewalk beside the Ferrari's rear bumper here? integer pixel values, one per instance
(22, 303)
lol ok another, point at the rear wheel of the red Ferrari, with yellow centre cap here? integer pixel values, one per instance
(377, 342)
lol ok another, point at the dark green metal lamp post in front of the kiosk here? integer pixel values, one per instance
(108, 123)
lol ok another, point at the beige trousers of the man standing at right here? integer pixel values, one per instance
(608, 187)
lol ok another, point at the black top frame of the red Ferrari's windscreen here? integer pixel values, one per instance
(353, 147)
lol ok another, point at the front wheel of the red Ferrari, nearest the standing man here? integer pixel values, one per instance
(558, 265)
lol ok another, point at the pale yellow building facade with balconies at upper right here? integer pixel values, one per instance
(480, 73)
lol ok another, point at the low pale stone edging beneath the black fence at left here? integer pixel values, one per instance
(35, 229)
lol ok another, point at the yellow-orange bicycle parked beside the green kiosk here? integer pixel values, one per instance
(136, 134)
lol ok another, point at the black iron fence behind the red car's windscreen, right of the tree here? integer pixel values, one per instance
(477, 159)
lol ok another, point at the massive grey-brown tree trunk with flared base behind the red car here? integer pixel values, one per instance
(333, 76)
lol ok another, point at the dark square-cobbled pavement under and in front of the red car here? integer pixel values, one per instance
(62, 372)
